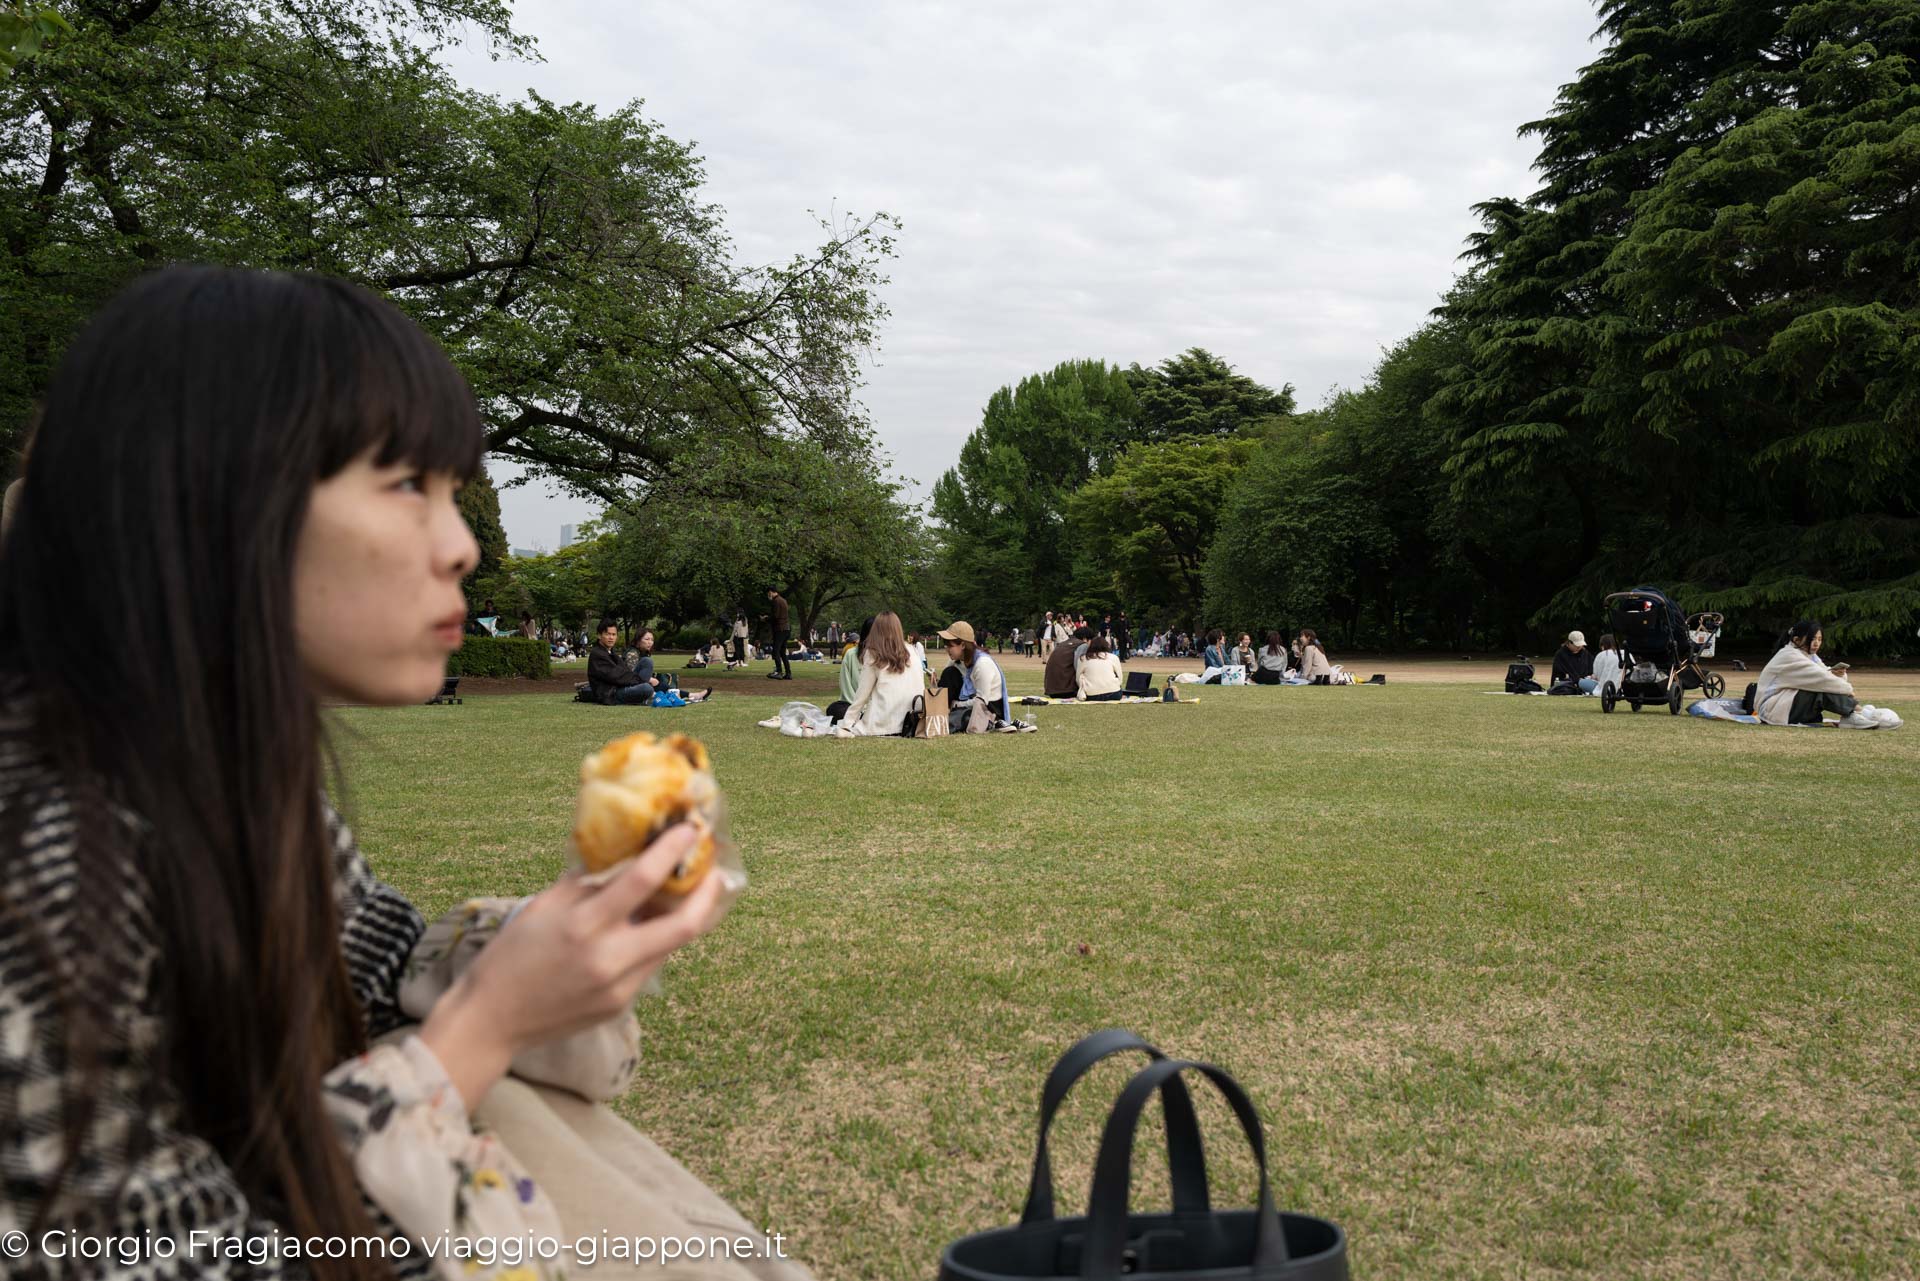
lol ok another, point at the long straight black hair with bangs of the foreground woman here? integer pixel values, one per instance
(168, 487)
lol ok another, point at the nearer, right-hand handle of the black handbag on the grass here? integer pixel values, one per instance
(1107, 1209)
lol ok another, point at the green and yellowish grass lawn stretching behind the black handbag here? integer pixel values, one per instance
(1522, 990)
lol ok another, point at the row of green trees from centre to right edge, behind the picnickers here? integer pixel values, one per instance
(1692, 358)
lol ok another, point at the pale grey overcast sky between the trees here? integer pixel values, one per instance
(1285, 185)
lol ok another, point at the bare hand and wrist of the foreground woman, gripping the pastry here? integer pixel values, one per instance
(573, 957)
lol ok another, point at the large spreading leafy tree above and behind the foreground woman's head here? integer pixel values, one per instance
(564, 256)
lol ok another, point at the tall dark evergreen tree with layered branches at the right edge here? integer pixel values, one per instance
(1700, 341)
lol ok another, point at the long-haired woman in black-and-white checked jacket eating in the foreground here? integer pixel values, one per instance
(262, 471)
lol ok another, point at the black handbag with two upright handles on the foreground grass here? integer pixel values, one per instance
(1189, 1244)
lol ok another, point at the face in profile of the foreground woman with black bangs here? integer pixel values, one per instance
(377, 583)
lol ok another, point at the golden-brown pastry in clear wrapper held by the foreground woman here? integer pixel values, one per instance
(636, 788)
